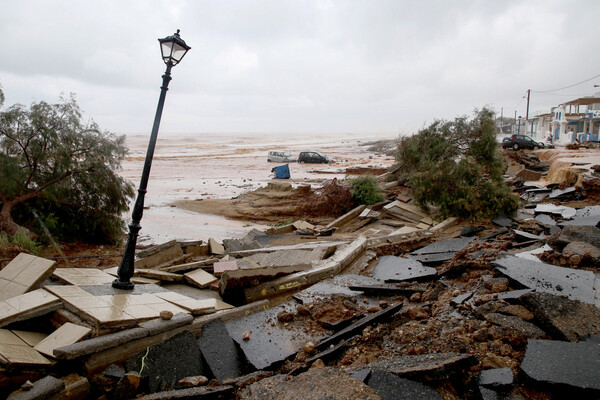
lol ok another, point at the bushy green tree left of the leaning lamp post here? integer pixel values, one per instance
(51, 158)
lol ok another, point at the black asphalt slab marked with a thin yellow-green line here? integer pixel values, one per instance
(168, 362)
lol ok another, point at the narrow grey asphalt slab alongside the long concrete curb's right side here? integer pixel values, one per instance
(338, 286)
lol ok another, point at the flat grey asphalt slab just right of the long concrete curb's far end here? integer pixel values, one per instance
(397, 269)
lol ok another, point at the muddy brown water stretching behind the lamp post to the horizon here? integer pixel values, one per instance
(223, 166)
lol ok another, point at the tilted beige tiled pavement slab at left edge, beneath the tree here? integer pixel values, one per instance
(23, 274)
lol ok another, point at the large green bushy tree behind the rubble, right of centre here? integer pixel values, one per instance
(456, 167)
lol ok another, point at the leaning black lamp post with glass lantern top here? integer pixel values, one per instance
(173, 48)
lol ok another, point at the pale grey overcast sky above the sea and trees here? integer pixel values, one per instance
(373, 67)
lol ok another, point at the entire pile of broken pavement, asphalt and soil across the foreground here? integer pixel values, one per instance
(380, 302)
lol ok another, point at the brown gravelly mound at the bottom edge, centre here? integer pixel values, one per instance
(316, 383)
